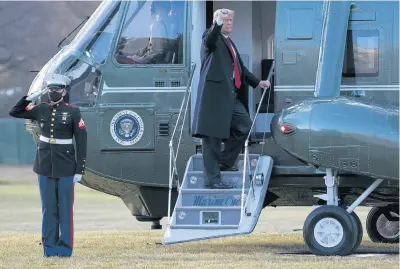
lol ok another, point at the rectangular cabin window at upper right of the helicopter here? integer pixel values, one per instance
(361, 58)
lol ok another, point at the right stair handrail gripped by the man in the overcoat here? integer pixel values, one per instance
(246, 149)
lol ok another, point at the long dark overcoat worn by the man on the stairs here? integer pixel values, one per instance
(216, 90)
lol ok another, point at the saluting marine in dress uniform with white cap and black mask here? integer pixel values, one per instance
(55, 162)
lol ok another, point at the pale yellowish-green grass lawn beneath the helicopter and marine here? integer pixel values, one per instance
(107, 236)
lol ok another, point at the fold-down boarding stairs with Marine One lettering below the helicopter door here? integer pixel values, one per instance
(204, 213)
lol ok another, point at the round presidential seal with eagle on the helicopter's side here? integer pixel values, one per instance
(126, 127)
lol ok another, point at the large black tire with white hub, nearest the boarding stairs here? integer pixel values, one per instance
(330, 230)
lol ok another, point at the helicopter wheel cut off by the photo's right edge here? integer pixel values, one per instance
(383, 225)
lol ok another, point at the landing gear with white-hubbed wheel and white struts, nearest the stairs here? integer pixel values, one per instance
(332, 229)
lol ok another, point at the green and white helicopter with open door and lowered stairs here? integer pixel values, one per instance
(134, 71)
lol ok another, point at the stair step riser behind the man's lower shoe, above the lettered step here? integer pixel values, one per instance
(197, 179)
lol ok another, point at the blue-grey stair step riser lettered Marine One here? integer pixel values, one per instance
(211, 197)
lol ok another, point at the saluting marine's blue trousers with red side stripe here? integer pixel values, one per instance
(57, 195)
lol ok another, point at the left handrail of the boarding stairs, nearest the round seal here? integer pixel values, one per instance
(172, 158)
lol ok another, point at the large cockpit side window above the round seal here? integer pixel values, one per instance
(152, 33)
